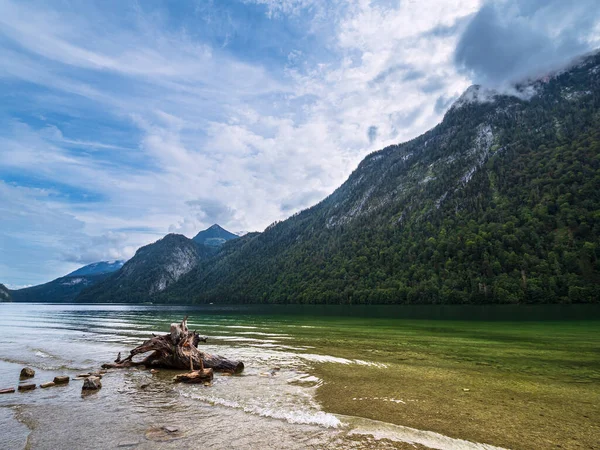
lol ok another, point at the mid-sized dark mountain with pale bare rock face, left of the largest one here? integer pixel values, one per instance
(153, 268)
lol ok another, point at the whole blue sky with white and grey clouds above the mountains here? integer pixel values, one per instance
(121, 122)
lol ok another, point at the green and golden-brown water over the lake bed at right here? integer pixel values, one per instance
(524, 385)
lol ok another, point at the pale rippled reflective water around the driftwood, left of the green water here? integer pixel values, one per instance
(271, 405)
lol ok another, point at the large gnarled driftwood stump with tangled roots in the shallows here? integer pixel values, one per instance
(176, 350)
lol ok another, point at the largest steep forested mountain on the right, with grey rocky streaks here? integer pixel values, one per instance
(497, 204)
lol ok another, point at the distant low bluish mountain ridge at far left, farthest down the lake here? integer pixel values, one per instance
(65, 289)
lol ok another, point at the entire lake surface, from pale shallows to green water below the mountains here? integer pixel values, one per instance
(316, 377)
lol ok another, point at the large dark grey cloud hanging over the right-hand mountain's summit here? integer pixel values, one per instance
(509, 40)
